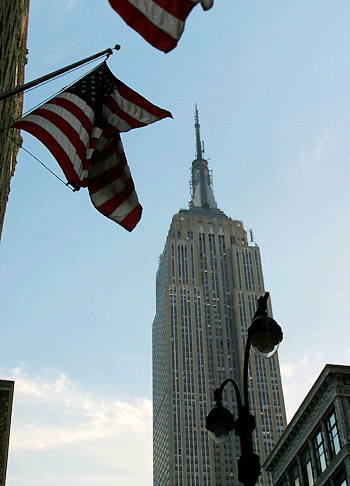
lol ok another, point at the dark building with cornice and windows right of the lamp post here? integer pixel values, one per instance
(314, 450)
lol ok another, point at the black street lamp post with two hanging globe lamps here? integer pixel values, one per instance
(264, 335)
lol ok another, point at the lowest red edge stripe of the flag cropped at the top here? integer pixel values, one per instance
(139, 22)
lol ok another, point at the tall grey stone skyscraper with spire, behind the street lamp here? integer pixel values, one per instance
(208, 282)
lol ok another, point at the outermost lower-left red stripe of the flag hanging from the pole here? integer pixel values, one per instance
(55, 148)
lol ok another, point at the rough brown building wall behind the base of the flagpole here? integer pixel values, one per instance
(13, 51)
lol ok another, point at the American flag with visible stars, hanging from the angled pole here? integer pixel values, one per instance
(81, 127)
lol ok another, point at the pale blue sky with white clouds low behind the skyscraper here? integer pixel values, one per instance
(271, 80)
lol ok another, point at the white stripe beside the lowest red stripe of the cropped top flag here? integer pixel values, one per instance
(160, 17)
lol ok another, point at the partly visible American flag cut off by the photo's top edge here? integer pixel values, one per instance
(160, 22)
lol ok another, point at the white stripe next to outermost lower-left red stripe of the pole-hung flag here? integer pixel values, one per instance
(62, 140)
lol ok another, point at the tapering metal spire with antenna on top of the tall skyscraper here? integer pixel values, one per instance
(201, 185)
